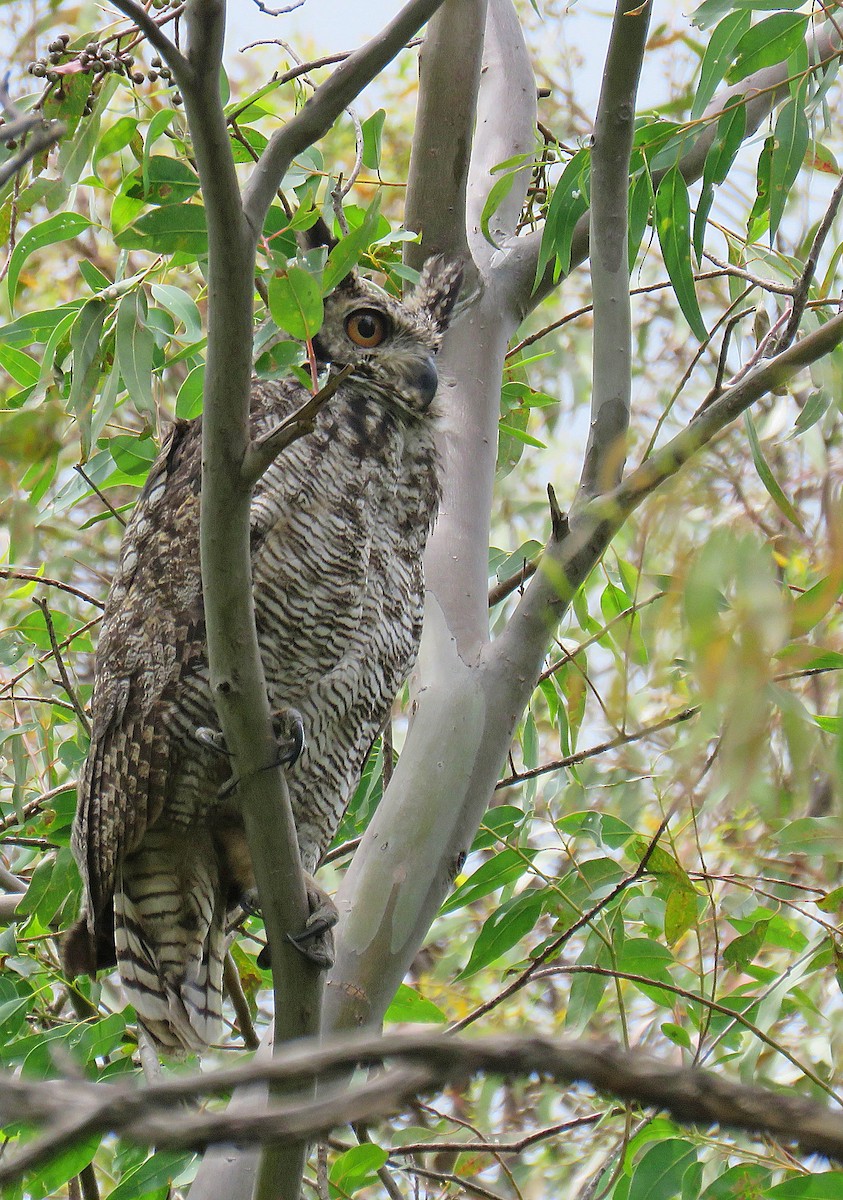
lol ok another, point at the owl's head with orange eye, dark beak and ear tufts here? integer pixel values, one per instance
(390, 343)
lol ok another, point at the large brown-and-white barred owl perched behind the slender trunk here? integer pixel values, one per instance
(339, 526)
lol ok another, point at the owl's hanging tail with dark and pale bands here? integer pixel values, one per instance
(170, 938)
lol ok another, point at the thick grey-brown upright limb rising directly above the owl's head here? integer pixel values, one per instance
(439, 165)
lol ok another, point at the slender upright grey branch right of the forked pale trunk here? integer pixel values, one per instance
(612, 380)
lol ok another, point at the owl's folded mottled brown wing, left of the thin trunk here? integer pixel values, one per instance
(153, 633)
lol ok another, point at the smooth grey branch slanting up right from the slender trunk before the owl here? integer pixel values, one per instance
(326, 105)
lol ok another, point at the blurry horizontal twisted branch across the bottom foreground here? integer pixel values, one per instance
(71, 1109)
